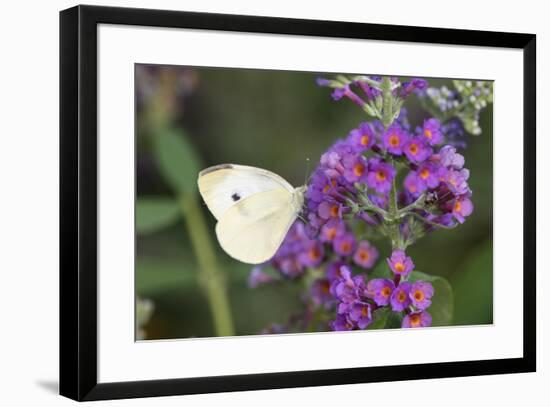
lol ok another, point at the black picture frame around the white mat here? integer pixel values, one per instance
(78, 202)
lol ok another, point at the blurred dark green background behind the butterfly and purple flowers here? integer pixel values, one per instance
(198, 117)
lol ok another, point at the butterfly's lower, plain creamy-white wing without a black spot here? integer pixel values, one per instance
(252, 230)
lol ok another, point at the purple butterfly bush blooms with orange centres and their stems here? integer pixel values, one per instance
(385, 179)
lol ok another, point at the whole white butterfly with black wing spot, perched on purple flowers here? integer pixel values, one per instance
(254, 207)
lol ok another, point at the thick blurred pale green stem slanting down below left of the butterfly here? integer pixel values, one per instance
(210, 274)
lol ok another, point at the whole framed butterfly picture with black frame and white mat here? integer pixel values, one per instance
(257, 202)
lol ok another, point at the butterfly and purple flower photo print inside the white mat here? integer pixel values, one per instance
(275, 202)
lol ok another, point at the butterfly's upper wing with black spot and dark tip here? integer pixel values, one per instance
(222, 186)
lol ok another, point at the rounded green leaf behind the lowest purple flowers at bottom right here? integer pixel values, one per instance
(442, 306)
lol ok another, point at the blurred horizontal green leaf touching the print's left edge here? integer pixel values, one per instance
(154, 214)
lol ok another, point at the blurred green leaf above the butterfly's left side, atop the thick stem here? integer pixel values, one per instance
(177, 160)
